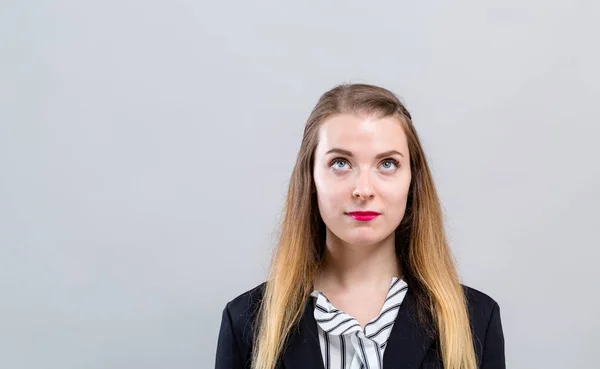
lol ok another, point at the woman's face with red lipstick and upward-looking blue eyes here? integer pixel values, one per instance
(362, 176)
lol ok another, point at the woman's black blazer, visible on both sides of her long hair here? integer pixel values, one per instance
(409, 346)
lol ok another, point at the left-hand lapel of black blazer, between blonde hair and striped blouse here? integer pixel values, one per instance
(303, 350)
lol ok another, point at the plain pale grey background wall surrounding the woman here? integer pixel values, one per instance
(145, 149)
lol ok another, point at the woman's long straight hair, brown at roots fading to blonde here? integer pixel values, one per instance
(421, 244)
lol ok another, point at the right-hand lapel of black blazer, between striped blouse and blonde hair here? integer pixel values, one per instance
(408, 342)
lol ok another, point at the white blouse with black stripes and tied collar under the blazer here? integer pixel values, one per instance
(344, 343)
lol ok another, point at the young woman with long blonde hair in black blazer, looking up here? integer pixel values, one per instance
(362, 276)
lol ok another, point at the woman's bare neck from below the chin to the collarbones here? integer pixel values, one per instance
(357, 267)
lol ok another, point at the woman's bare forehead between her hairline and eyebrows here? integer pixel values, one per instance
(357, 133)
